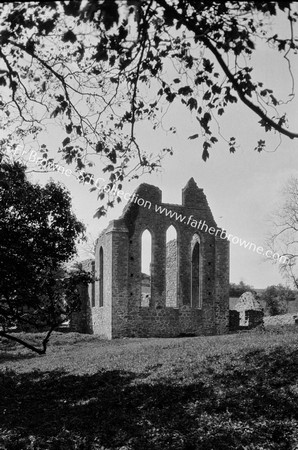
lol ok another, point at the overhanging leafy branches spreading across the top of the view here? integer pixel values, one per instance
(100, 68)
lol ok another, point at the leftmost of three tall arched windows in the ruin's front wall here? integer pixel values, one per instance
(146, 256)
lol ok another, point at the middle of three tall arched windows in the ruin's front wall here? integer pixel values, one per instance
(171, 267)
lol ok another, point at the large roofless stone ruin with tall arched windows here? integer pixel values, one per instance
(188, 288)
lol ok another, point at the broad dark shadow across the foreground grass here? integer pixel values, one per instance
(249, 402)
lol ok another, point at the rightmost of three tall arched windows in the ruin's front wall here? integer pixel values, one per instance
(196, 279)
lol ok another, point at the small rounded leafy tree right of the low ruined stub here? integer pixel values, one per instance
(277, 298)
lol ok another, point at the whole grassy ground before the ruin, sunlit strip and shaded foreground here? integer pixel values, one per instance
(221, 392)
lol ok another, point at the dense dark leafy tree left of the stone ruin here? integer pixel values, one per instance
(38, 233)
